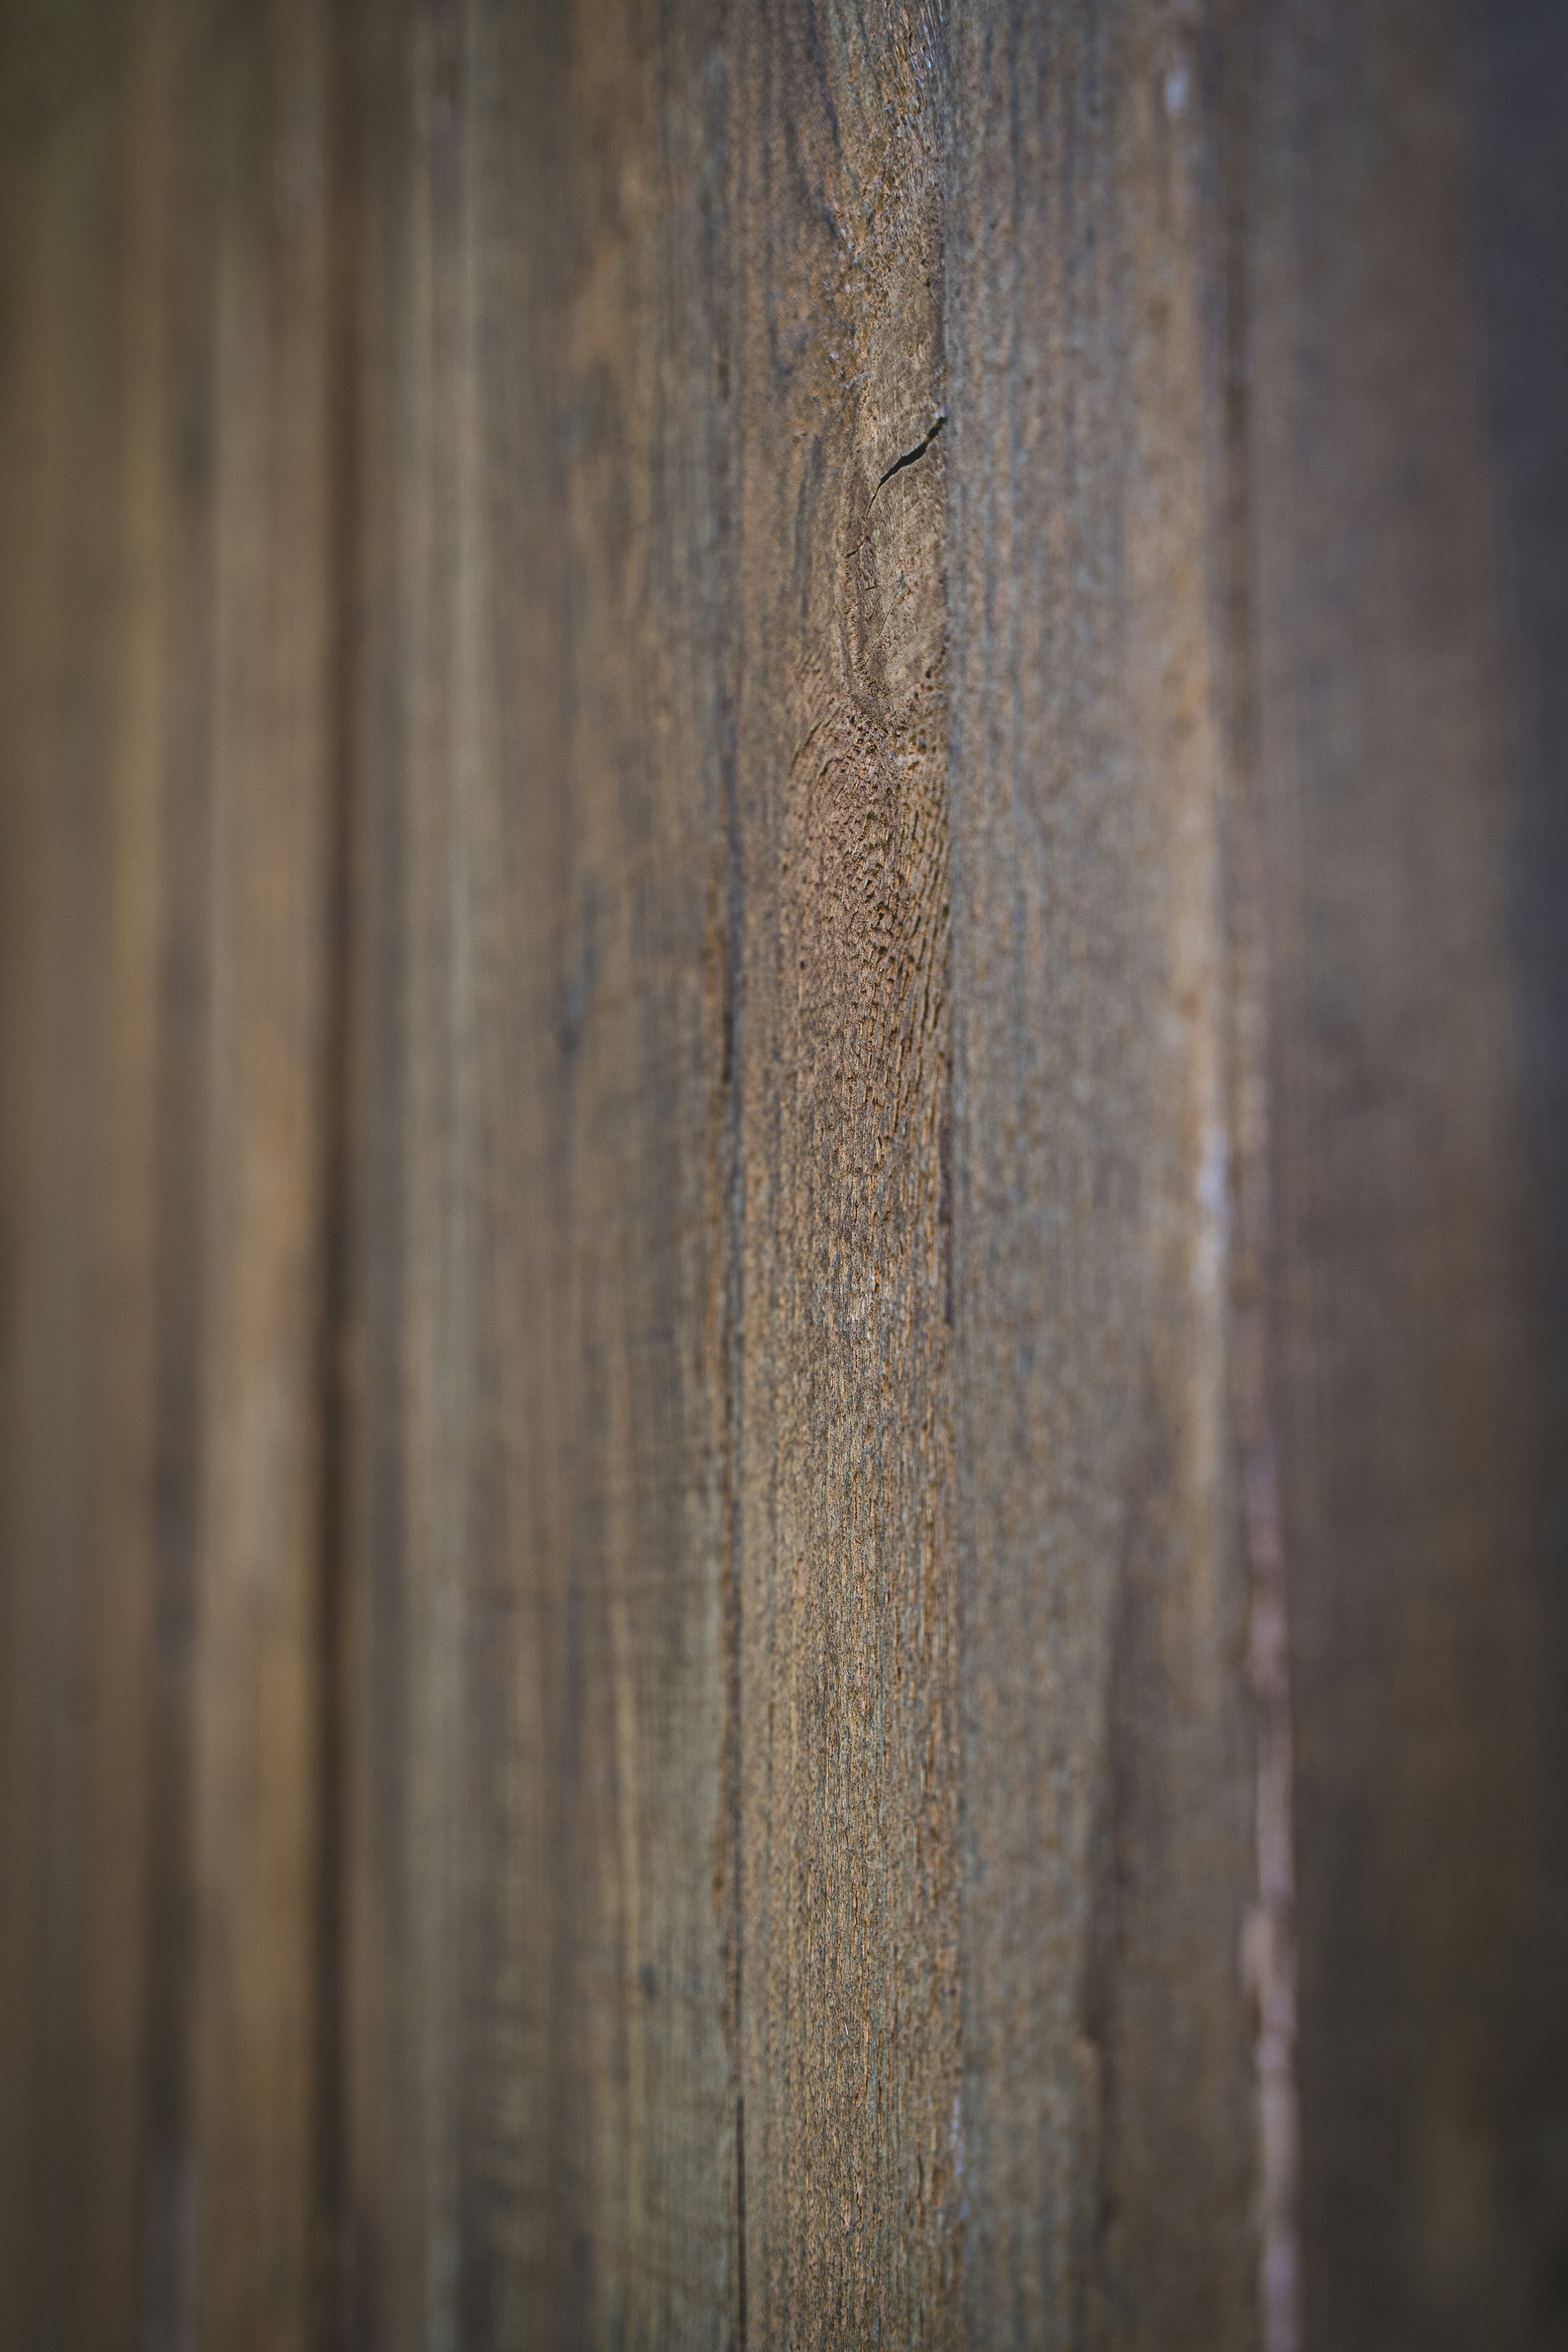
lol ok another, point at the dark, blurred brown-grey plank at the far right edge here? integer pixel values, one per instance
(1405, 196)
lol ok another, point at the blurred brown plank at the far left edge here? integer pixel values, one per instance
(79, 994)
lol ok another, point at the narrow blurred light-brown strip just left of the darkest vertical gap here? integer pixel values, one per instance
(267, 909)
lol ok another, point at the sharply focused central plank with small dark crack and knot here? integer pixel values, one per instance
(847, 1720)
